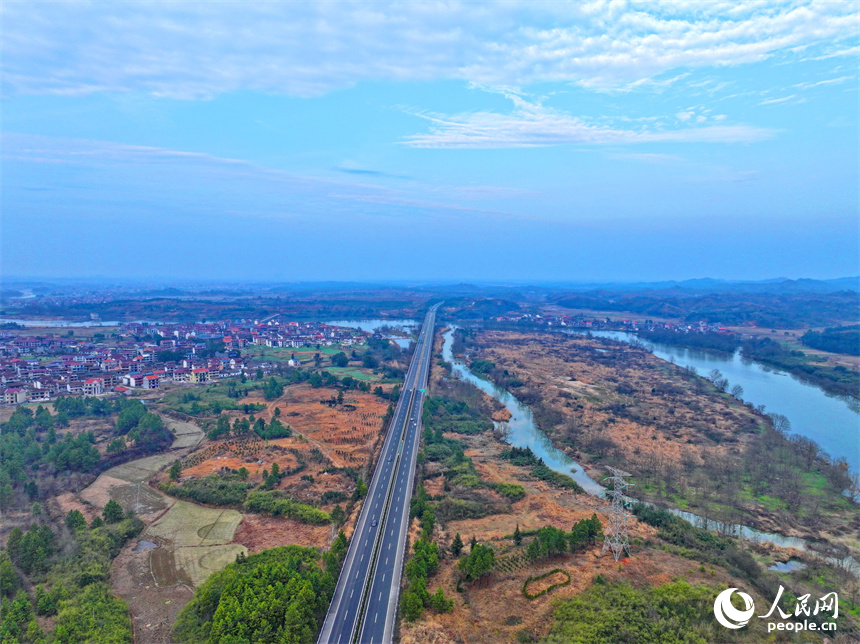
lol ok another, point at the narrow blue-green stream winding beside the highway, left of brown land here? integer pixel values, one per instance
(523, 432)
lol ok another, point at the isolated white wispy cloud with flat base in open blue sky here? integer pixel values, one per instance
(532, 125)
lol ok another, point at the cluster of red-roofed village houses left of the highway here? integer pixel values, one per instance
(38, 368)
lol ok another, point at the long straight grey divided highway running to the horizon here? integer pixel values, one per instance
(364, 606)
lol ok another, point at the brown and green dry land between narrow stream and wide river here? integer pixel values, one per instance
(688, 445)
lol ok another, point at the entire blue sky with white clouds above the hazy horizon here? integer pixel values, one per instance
(501, 141)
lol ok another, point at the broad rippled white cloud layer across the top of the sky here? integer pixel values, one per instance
(194, 50)
